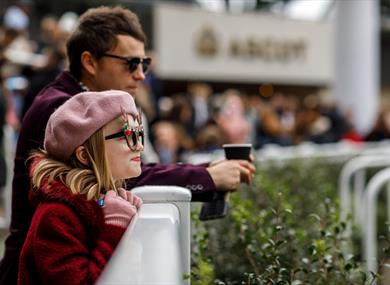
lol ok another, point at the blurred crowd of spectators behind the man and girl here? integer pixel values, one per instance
(196, 119)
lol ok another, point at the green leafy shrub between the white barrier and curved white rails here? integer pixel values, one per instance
(283, 229)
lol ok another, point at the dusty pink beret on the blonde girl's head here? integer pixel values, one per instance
(81, 116)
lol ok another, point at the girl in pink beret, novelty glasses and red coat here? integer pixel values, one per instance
(92, 142)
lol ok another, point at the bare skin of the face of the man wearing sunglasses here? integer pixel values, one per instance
(113, 73)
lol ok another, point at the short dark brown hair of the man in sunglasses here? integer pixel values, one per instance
(97, 31)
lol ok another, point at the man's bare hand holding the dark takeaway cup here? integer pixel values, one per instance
(228, 174)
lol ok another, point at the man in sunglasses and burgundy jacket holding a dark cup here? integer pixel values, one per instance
(105, 52)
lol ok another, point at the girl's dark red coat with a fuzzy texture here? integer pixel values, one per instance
(68, 241)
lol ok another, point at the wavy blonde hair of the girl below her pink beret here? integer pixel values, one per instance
(88, 180)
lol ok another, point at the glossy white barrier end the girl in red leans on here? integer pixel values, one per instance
(156, 247)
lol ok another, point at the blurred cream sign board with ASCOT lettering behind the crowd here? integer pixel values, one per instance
(196, 45)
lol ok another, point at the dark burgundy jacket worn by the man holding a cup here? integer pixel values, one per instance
(195, 178)
